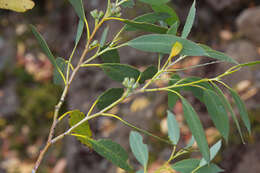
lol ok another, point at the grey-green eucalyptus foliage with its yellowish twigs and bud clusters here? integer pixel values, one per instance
(163, 23)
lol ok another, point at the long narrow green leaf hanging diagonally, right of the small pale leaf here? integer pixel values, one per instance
(196, 128)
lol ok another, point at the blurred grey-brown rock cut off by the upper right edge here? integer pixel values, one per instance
(248, 23)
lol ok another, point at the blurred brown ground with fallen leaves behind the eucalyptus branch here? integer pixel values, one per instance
(27, 95)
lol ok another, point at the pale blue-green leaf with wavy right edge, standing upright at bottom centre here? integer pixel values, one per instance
(139, 149)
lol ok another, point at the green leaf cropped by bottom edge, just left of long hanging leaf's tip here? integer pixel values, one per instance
(186, 166)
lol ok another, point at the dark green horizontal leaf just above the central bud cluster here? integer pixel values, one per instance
(119, 72)
